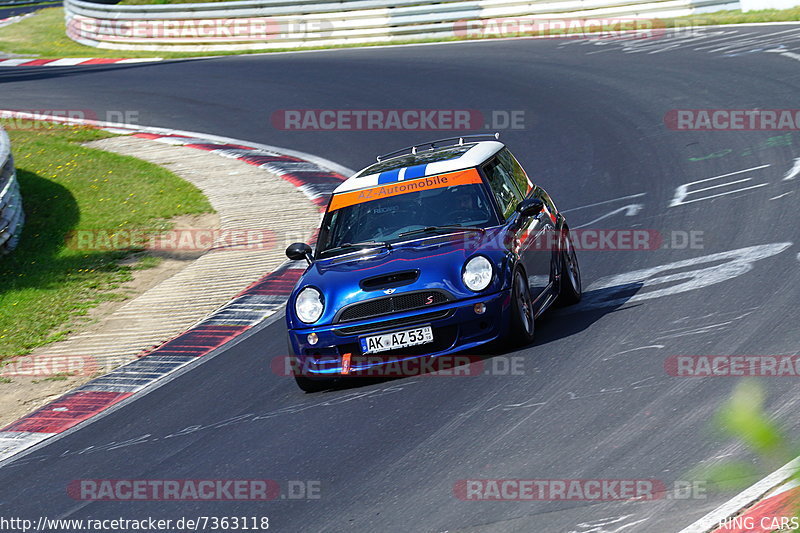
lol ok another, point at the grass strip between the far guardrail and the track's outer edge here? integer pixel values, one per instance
(43, 34)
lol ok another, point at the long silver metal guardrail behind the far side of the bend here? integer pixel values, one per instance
(276, 24)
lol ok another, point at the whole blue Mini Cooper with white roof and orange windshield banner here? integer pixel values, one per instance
(436, 249)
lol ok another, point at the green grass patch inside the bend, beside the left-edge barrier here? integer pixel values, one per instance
(47, 285)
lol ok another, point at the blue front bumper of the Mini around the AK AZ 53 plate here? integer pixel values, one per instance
(456, 328)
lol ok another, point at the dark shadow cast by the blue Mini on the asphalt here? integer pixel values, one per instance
(555, 324)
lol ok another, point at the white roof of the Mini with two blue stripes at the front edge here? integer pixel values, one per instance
(408, 166)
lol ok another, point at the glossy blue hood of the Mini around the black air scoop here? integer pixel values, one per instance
(438, 260)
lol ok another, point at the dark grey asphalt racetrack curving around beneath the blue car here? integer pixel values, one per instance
(593, 399)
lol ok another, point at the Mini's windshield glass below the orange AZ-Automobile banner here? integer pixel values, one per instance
(385, 220)
